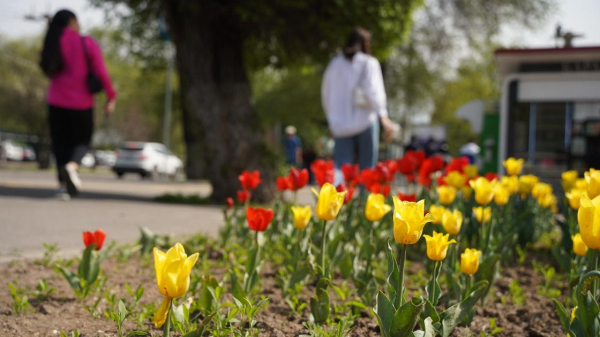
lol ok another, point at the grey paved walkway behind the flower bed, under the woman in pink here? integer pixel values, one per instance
(30, 216)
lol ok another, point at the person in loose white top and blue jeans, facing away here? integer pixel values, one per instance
(354, 100)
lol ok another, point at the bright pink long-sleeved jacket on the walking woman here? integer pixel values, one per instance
(68, 88)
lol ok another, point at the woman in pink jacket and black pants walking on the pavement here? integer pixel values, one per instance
(68, 59)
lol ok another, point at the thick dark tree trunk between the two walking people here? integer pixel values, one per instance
(222, 132)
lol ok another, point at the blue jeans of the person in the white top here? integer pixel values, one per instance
(362, 149)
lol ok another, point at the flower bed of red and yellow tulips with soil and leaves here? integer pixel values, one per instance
(494, 261)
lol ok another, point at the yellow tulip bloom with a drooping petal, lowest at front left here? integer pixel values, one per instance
(172, 277)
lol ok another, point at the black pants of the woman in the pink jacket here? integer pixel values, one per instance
(71, 132)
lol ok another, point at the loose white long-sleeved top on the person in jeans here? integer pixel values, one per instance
(341, 77)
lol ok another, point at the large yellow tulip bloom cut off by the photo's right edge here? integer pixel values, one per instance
(589, 221)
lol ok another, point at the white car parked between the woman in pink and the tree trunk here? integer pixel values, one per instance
(146, 159)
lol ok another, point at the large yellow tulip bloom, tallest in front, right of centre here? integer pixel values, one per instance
(409, 220)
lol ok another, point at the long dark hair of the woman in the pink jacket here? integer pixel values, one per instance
(52, 61)
